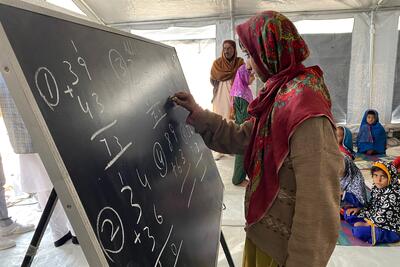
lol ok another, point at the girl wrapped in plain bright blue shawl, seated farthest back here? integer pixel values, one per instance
(371, 137)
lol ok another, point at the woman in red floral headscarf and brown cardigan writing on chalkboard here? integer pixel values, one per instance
(291, 154)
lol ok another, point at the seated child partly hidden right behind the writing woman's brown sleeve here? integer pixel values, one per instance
(352, 183)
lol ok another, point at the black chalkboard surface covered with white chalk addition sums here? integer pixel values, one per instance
(148, 185)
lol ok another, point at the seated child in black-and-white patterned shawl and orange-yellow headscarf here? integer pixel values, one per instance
(379, 220)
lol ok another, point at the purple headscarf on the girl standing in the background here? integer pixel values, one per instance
(240, 87)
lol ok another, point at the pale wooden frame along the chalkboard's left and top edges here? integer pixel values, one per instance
(44, 143)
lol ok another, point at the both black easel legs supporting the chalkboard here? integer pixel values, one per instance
(44, 221)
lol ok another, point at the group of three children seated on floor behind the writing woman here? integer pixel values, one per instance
(377, 219)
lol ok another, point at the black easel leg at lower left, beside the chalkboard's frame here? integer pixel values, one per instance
(40, 229)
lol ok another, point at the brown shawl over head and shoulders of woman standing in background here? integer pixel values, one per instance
(223, 69)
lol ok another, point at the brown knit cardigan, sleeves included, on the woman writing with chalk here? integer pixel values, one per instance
(301, 228)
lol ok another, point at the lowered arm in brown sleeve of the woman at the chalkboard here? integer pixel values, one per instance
(317, 165)
